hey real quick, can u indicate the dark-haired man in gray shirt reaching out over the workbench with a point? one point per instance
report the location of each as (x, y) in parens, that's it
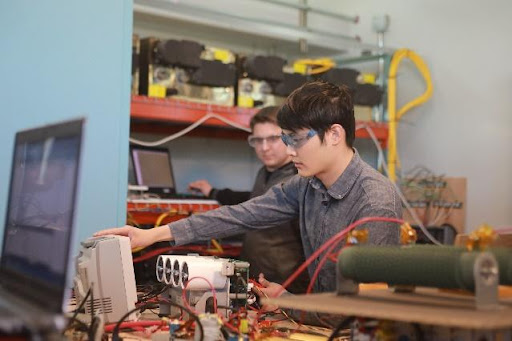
(334, 186)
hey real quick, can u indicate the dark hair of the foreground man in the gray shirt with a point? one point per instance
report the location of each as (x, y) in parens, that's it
(318, 105)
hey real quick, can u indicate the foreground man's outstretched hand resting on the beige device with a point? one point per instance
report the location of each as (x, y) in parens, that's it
(139, 238)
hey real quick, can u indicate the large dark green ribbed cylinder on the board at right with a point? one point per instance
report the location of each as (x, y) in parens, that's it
(432, 266)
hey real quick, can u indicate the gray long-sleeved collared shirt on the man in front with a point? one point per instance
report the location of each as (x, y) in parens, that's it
(359, 192)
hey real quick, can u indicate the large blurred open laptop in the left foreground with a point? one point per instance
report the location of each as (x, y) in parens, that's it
(39, 229)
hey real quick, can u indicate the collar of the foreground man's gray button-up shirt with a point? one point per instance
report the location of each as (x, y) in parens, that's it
(345, 182)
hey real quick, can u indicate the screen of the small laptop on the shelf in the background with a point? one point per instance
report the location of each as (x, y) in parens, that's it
(152, 167)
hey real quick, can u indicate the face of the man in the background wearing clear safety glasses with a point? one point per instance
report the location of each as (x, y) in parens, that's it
(268, 145)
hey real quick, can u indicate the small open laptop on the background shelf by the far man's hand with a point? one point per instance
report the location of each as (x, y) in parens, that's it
(153, 169)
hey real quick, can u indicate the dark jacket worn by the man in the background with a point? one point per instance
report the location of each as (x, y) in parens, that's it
(277, 251)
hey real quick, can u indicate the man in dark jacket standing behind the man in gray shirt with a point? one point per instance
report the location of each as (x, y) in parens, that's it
(275, 252)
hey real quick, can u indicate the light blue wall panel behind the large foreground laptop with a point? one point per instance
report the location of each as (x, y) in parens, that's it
(64, 59)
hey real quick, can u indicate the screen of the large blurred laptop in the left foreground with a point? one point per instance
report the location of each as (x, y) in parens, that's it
(41, 207)
